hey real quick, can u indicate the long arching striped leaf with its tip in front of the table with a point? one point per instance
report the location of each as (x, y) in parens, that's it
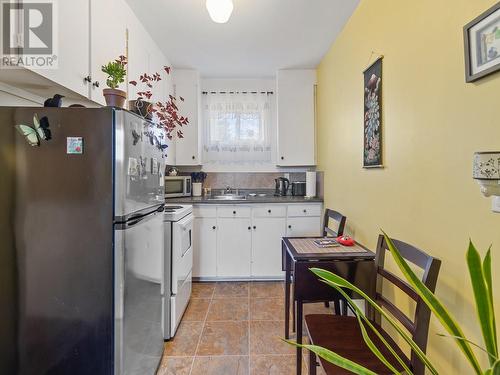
(335, 280)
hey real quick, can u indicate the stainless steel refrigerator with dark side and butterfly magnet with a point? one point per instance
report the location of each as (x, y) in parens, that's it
(81, 234)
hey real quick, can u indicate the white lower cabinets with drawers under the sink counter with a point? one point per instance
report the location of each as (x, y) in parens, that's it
(244, 241)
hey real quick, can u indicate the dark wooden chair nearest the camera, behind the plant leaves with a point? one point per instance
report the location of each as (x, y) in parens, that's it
(342, 335)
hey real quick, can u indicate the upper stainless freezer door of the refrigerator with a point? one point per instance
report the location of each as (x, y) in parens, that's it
(139, 164)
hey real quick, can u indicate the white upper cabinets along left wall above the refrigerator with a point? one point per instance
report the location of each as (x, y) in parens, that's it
(91, 33)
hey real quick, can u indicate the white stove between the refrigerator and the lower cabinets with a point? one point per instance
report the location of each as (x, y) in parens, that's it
(178, 223)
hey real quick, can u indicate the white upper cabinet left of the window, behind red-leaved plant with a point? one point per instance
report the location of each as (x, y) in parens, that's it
(187, 86)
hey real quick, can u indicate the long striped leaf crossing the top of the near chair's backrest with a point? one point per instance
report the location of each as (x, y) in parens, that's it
(443, 315)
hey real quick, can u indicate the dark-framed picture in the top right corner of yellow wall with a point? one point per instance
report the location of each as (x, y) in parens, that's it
(482, 44)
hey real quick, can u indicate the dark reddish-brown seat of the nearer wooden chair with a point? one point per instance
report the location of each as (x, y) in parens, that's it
(342, 335)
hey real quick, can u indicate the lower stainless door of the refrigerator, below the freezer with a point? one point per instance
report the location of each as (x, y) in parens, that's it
(138, 295)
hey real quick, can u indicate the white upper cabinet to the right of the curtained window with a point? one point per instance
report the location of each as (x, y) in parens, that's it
(296, 117)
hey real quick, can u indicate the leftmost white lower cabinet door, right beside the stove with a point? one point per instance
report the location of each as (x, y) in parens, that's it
(205, 247)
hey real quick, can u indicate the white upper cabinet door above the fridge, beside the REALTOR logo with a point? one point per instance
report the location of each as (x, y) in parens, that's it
(73, 47)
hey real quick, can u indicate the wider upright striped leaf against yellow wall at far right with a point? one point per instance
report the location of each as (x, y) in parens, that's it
(484, 303)
